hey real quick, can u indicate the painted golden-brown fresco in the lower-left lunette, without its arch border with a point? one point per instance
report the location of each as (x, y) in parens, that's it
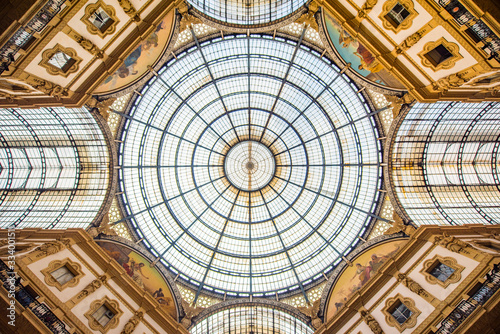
(149, 279)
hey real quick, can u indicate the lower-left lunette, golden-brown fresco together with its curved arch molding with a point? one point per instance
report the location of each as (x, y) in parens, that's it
(159, 284)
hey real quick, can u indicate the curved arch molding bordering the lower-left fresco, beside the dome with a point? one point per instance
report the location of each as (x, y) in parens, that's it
(157, 265)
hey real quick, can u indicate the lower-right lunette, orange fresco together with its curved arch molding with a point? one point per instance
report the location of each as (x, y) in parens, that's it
(365, 264)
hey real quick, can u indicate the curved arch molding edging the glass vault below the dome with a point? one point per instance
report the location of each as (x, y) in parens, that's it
(247, 302)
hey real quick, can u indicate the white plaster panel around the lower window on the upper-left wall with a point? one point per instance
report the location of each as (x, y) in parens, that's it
(65, 41)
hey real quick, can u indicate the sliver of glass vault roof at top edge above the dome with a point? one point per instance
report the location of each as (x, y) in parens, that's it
(247, 12)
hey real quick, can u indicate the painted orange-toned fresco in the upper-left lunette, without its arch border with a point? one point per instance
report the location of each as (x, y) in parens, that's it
(147, 53)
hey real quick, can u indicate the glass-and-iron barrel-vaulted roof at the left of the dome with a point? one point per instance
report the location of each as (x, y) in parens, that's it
(54, 168)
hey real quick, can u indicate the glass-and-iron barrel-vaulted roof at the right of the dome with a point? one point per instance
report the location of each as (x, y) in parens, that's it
(444, 163)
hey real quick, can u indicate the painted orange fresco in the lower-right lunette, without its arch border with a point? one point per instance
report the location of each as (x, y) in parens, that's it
(354, 278)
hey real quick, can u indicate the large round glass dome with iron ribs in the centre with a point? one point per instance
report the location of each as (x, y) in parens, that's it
(250, 165)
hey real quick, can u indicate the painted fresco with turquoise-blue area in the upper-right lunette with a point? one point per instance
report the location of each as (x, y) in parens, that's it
(362, 61)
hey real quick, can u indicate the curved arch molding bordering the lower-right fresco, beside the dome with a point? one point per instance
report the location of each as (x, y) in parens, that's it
(344, 264)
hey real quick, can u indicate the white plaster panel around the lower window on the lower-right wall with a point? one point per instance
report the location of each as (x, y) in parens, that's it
(420, 303)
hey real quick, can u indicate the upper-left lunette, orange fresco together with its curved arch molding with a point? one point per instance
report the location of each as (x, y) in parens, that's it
(150, 53)
